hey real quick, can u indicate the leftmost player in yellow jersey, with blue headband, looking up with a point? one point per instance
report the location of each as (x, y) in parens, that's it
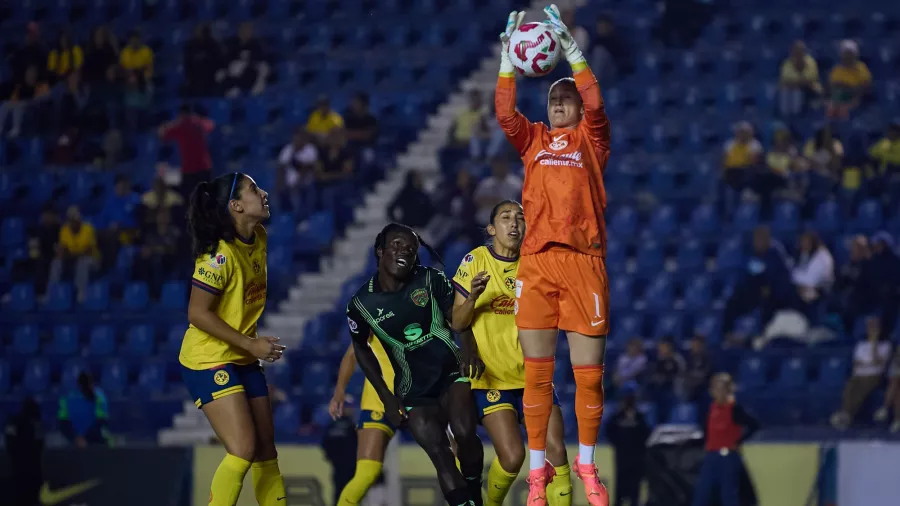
(221, 350)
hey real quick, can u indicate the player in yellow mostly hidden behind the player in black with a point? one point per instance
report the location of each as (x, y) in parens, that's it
(374, 429)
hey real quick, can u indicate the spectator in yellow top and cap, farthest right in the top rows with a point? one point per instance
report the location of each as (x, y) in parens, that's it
(849, 81)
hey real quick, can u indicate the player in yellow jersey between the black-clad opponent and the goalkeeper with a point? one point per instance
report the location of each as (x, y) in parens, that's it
(484, 310)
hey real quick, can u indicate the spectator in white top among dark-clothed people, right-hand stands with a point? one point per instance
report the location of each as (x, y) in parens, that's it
(813, 274)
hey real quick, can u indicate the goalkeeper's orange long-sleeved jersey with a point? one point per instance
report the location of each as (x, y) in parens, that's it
(563, 196)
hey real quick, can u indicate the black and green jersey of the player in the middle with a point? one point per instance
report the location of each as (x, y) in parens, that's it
(412, 325)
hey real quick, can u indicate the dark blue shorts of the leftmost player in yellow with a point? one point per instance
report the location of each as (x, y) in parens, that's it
(208, 385)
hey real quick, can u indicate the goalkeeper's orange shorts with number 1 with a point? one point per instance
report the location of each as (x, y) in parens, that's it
(559, 288)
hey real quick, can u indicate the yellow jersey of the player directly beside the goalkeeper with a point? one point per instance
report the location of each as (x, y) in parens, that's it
(494, 321)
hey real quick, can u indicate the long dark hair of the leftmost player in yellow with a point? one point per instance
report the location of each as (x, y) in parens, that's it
(208, 218)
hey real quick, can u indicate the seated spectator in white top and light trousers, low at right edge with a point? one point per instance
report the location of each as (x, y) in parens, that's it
(870, 357)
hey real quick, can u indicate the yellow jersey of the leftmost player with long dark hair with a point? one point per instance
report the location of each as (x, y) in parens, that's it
(236, 272)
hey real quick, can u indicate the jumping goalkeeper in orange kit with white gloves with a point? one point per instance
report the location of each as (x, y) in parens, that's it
(561, 282)
